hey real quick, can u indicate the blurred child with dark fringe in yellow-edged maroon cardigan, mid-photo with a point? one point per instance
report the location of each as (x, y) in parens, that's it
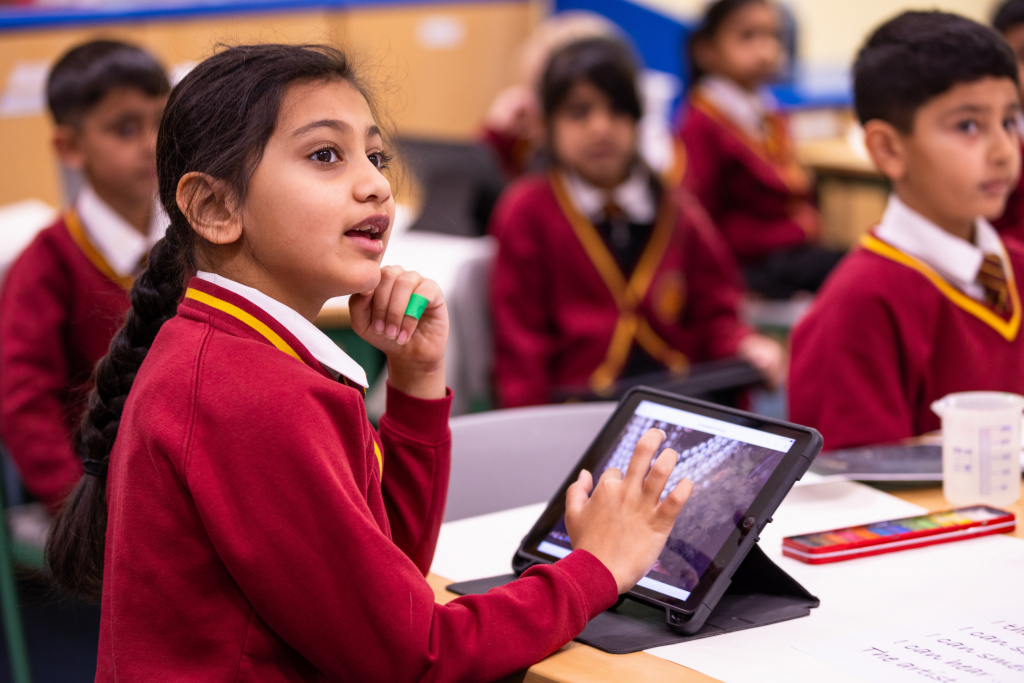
(602, 273)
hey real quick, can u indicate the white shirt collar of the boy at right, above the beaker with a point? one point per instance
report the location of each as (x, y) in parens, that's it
(957, 261)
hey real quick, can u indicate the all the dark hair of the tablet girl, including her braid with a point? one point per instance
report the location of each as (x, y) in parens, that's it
(218, 122)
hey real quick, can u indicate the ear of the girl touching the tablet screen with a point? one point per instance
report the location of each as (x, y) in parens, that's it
(211, 208)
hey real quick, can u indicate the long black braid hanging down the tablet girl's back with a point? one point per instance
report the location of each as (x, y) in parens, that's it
(75, 548)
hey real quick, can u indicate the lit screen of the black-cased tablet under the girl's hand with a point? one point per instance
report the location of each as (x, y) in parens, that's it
(729, 465)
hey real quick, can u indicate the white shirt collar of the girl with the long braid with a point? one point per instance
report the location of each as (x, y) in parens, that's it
(318, 344)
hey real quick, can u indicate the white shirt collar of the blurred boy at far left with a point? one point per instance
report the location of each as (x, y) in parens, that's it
(120, 244)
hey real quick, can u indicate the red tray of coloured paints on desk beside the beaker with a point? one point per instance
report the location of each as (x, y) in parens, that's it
(888, 537)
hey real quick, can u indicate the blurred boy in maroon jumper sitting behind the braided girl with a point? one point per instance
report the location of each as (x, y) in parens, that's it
(67, 294)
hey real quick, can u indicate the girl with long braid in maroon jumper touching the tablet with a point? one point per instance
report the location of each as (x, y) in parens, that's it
(257, 526)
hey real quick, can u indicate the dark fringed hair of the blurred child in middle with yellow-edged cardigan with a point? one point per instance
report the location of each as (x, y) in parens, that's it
(605, 63)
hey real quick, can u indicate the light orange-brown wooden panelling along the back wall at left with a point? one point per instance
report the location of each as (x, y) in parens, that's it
(435, 66)
